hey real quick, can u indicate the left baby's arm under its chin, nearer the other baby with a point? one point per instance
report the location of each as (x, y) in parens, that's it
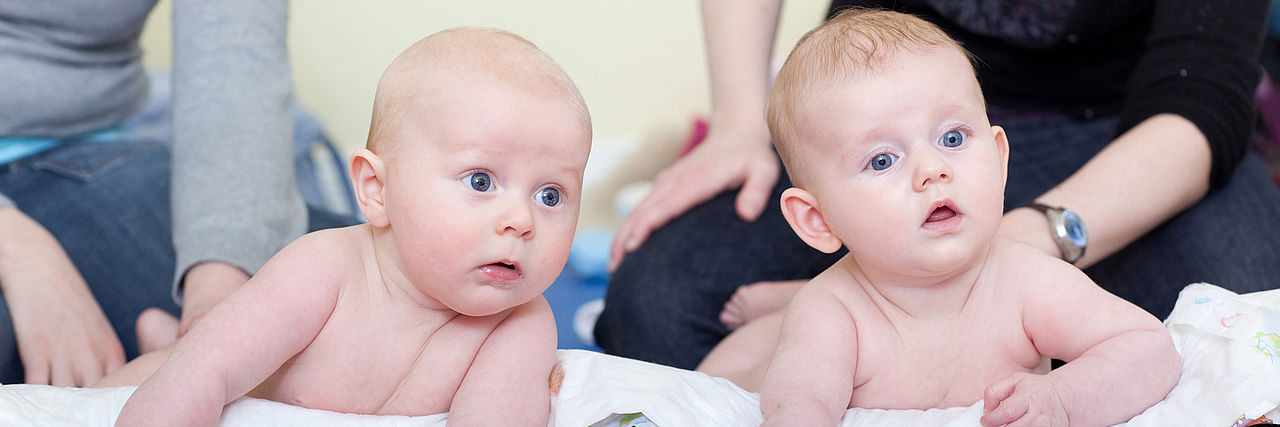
(509, 379)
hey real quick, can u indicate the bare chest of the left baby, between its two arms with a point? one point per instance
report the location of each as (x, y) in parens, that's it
(378, 370)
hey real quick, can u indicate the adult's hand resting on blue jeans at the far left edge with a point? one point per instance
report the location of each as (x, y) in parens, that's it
(63, 337)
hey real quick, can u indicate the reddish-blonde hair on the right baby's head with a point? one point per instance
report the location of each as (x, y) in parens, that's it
(853, 43)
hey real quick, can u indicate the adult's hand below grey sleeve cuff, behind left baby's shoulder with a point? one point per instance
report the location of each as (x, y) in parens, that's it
(204, 287)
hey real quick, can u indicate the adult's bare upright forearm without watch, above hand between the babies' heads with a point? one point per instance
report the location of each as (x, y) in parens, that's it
(739, 38)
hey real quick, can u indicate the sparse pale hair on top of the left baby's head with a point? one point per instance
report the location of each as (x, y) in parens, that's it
(496, 53)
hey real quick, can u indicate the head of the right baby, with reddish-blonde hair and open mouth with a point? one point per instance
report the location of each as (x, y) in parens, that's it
(883, 127)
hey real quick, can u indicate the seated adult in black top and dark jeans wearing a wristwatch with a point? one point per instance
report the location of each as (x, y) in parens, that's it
(1131, 121)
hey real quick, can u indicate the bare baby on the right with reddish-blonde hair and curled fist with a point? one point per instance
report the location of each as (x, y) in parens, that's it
(883, 127)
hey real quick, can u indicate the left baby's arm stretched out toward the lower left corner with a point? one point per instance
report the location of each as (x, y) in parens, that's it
(241, 342)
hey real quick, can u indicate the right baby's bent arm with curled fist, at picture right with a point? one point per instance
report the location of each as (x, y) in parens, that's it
(1121, 359)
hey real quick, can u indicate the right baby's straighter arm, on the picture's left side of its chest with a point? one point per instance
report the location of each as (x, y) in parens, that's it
(811, 379)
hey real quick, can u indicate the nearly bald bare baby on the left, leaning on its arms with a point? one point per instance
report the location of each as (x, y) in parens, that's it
(472, 183)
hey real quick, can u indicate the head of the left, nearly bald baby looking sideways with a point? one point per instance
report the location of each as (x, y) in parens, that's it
(473, 173)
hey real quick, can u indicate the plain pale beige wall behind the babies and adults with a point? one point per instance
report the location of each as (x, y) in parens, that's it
(641, 66)
